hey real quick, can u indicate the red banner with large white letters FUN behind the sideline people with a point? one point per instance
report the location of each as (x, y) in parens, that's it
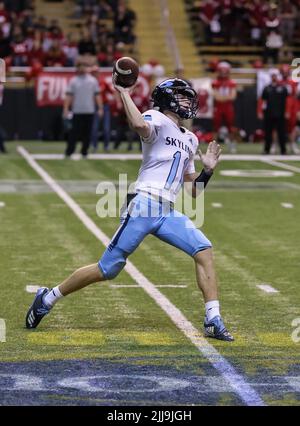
(50, 87)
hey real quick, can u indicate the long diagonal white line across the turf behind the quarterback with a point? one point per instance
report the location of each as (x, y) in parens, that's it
(235, 380)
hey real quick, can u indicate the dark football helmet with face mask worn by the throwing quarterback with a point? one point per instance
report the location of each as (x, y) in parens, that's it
(176, 95)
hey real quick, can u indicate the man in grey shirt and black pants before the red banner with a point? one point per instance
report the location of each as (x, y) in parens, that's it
(82, 96)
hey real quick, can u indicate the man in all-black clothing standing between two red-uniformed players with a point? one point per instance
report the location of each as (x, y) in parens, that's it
(274, 97)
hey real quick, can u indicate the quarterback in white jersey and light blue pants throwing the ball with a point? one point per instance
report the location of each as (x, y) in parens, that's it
(168, 161)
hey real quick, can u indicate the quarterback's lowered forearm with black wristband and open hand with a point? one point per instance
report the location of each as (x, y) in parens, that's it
(209, 161)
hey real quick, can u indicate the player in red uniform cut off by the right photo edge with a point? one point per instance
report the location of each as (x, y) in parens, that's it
(291, 106)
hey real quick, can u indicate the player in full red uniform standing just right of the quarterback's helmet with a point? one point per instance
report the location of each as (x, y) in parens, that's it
(224, 93)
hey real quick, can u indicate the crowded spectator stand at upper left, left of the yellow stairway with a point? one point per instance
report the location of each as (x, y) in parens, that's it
(102, 30)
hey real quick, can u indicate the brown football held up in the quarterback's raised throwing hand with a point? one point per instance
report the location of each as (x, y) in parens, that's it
(125, 71)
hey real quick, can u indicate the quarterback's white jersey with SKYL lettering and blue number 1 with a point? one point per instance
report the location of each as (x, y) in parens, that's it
(168, 154)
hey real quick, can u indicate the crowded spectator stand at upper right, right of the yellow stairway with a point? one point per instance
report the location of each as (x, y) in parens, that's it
(244, 33)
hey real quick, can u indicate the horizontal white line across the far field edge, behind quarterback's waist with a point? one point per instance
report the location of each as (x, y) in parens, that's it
(225, 157)
